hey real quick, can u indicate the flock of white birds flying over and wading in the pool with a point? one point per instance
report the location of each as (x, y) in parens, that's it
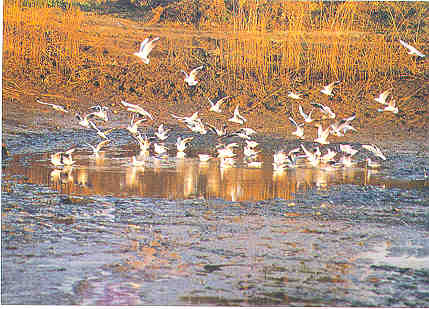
(316, 157)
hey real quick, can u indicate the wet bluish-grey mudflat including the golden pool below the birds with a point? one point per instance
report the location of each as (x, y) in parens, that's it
(177, 232)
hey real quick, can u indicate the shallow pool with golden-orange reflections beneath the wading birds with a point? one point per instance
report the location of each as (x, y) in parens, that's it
(111, 174)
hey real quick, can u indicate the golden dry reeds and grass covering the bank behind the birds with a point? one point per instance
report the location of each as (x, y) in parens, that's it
(264, 51)
